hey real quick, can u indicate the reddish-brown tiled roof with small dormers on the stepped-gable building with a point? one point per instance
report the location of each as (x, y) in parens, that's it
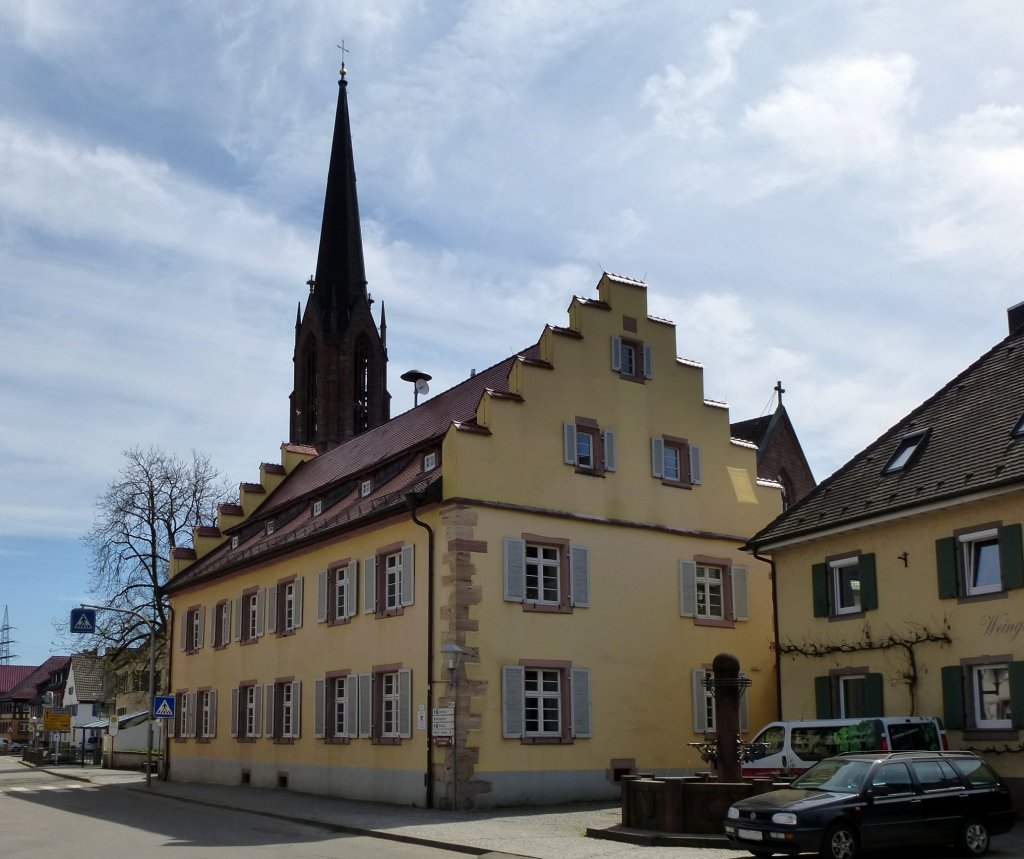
(388, 456)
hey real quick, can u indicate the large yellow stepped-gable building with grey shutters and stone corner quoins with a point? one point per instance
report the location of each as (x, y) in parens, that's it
(570, 519)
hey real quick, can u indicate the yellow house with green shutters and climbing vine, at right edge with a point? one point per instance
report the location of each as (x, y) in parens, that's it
(900, 579)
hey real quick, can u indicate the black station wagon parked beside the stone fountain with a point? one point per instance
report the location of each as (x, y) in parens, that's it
(875, 801)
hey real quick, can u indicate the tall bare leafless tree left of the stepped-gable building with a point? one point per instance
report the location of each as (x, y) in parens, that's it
(149, 510)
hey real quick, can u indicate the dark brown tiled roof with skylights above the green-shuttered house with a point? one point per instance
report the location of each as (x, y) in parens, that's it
(970, 449)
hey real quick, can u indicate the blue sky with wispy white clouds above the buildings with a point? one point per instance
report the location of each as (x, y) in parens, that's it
(829, 193)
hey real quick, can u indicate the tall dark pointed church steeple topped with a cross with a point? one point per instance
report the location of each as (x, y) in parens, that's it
(340, 359)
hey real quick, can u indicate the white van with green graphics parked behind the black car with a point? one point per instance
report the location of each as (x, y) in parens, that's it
(788, 749)
